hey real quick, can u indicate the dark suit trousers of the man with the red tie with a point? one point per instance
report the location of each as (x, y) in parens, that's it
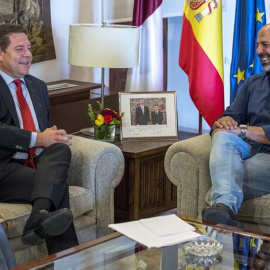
(21, 184)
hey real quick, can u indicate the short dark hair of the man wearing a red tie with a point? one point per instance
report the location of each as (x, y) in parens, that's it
(6, 30)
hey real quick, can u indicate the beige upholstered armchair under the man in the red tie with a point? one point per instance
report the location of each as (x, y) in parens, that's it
(96, 169)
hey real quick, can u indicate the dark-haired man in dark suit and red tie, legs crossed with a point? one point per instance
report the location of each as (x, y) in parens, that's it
(34, 156)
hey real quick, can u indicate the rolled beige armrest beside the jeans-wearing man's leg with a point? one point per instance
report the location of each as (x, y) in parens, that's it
(187, 166)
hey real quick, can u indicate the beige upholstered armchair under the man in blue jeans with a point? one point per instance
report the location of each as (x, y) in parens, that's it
(187, 167)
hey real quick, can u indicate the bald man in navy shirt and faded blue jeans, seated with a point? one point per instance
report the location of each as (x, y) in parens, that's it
(240, 150)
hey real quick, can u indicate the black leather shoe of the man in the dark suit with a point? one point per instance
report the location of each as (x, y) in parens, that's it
(46, 224)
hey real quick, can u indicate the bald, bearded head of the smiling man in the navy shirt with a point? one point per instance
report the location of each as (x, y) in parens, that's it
(263, 46)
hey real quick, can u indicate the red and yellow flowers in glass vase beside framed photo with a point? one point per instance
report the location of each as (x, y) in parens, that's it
(104, 121)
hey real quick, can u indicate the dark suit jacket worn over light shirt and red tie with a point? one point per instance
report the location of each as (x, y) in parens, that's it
(12, 138)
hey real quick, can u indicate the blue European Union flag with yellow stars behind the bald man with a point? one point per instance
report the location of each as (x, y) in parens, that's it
(250, 17)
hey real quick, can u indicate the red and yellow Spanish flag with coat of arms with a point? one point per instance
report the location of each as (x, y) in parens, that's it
(201, 56)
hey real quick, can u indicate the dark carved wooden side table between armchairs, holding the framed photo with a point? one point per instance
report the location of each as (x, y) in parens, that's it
(145, 190)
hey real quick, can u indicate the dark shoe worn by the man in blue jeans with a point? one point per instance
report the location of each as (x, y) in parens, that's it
(220, 214)
